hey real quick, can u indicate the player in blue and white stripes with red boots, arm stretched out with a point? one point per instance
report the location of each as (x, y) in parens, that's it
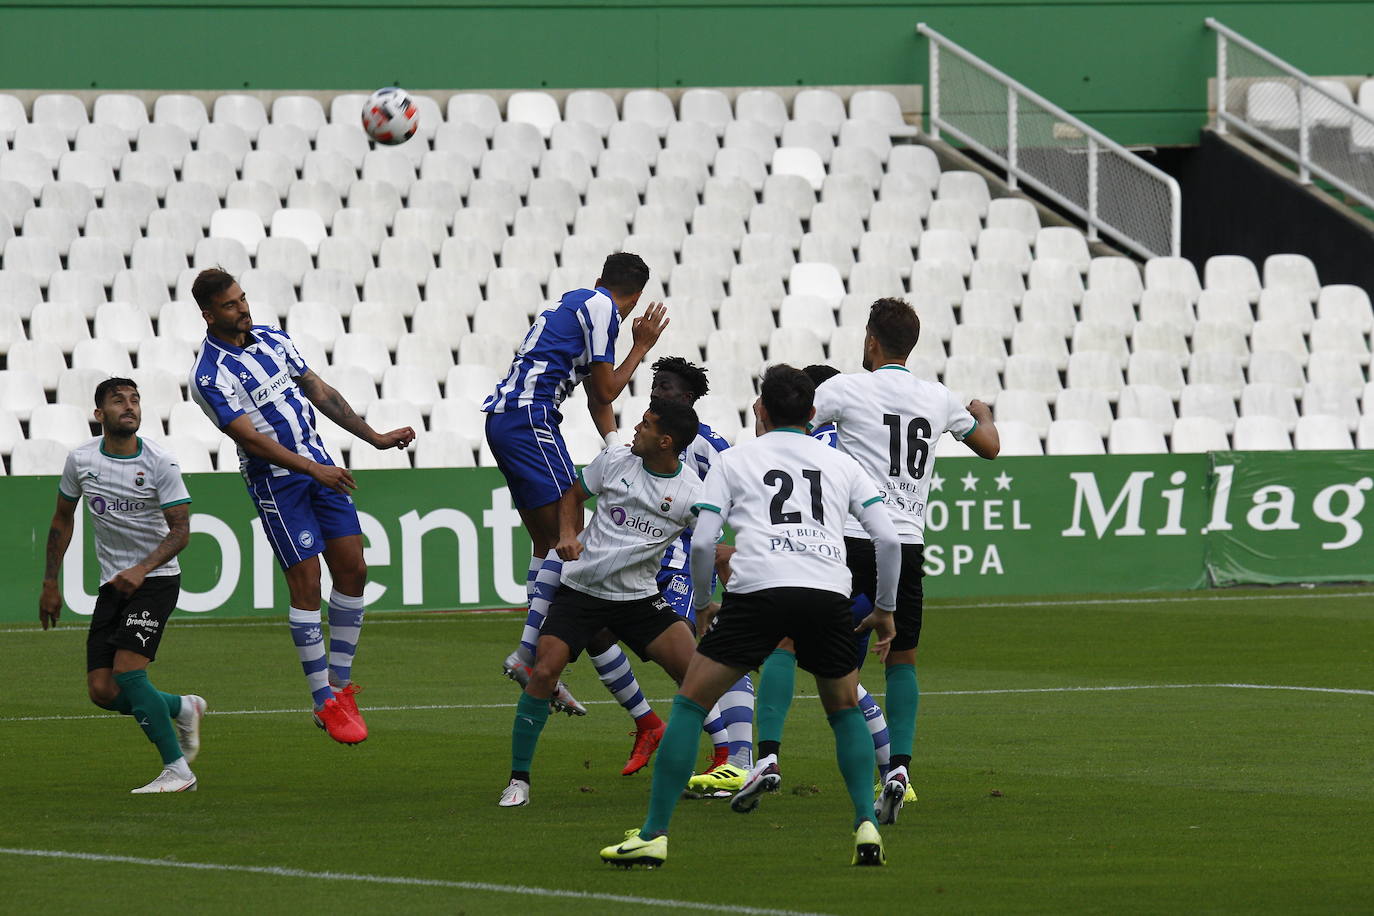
(252, 382)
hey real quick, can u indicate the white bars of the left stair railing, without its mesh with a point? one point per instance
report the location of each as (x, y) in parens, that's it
(1097, 144)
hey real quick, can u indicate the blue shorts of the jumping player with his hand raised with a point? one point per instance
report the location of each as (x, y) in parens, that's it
(531, 453)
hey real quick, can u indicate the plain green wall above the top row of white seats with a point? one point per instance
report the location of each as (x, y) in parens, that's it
(1136, 71)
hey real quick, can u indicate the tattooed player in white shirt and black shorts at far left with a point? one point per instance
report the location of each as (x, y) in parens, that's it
(138, 505)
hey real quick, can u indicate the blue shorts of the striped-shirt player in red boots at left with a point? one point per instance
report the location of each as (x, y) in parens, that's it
(300, 516)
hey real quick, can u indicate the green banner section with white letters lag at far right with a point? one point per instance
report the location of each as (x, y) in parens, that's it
(1289, 517)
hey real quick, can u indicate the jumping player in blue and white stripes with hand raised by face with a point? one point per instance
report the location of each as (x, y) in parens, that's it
(570, 344)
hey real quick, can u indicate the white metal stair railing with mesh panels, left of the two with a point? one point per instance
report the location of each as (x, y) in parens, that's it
(1114, 192)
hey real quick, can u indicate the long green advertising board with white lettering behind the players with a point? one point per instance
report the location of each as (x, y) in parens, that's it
(450, 539)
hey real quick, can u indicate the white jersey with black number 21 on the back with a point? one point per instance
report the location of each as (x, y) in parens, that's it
(788, 498)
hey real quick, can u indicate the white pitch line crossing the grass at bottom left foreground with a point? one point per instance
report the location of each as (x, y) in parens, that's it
(409, 882)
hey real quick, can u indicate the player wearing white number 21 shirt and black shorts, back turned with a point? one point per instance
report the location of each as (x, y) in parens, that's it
(788, 498)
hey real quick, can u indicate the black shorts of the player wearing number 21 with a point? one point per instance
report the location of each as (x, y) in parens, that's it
(750, 627)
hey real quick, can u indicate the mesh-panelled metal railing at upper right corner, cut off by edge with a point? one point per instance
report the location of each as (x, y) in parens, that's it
(1314, 123)
